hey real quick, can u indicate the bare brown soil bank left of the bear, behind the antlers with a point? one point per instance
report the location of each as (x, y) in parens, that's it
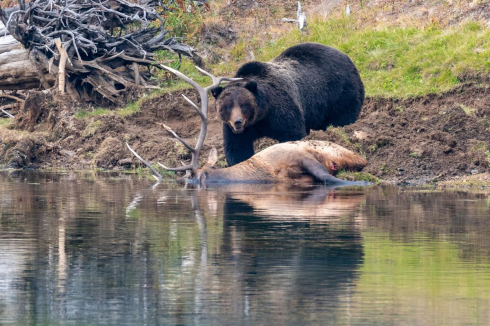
(99, 141)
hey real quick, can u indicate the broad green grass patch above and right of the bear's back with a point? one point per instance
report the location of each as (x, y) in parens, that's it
(400, 62)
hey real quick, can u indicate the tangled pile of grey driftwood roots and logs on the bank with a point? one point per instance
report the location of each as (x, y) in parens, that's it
(93, 49)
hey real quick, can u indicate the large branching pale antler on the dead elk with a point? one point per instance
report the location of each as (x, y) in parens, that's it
(202, 112)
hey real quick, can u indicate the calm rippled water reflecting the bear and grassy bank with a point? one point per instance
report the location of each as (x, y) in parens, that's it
(88, 249)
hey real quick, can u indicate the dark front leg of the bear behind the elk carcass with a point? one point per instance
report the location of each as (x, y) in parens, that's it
(238, 147)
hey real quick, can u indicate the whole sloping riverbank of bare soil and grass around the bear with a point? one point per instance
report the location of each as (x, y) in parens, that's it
(426, 118)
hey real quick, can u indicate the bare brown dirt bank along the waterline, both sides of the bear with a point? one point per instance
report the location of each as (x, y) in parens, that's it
(419, 140)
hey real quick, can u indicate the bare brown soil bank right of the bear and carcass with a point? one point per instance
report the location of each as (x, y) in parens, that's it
(426, 139)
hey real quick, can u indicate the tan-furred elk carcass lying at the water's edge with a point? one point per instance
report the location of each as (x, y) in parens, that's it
(285, 162)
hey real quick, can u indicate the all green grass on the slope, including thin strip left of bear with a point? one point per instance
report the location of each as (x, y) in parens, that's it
(393, 61)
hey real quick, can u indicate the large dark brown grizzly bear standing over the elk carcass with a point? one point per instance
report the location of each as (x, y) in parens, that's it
(308, 86)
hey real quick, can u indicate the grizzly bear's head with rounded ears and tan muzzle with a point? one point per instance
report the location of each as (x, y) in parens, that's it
(237, 104)
